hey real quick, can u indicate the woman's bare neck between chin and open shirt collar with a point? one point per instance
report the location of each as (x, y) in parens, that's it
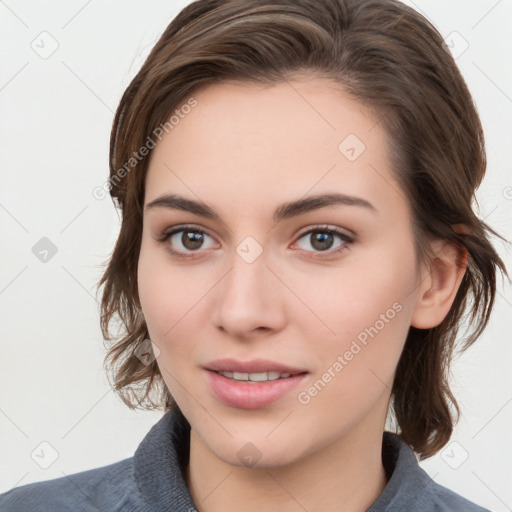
(347, 475)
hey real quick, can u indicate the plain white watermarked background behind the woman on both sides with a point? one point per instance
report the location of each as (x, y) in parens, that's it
(55, 120)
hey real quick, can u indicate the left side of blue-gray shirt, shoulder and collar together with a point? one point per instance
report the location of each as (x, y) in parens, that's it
(151, 480)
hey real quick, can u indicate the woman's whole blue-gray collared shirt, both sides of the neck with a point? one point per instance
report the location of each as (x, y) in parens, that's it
(152, 481)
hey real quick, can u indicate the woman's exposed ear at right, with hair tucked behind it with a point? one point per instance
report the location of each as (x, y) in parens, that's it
(440, 280)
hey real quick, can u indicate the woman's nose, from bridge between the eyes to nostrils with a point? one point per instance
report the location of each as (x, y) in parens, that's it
(249, 298)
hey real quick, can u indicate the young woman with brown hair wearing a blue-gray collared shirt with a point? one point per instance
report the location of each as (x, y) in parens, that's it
(297, 251)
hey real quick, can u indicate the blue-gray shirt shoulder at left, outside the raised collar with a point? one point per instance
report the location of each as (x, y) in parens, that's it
(105, 488)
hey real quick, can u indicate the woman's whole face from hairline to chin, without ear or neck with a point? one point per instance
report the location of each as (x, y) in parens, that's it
(323, 291)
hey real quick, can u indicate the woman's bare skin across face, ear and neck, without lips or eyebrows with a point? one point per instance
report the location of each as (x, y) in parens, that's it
(244, 150)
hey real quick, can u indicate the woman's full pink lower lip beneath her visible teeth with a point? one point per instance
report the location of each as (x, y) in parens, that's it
(246, 395)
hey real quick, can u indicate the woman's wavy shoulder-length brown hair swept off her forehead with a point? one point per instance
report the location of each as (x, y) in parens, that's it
(391, 59)
